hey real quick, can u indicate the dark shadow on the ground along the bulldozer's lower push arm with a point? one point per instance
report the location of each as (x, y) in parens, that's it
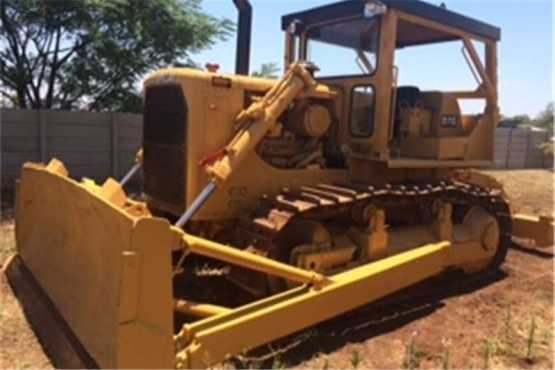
(370, 321)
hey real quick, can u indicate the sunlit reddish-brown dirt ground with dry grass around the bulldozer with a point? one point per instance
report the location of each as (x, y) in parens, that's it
(503, 320)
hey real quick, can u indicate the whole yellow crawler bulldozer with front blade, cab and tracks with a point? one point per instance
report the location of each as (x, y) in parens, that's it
(271, 205)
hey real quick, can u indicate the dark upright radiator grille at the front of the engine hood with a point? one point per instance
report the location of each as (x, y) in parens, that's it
(164, 135)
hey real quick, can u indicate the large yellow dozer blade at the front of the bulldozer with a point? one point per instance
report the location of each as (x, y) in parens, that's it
(90, 267)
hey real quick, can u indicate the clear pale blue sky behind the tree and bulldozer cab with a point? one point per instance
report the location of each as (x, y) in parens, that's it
(525, 51)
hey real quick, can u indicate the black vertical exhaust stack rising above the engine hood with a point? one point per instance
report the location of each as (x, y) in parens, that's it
(244, 21)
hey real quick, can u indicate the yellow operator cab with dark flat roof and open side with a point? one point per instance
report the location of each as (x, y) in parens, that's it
(354, 45)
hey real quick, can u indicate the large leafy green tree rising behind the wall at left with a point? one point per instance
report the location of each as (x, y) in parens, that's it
(91, 54)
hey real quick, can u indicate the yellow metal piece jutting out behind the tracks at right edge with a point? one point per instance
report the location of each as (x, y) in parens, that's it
(539, 229)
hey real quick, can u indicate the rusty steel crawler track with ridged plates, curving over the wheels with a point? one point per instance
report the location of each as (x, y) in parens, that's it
(324, 201)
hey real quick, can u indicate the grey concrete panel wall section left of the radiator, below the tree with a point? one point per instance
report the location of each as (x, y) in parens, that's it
(94, 145)
